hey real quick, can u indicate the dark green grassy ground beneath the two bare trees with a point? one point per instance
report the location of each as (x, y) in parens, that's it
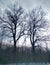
(20, 56)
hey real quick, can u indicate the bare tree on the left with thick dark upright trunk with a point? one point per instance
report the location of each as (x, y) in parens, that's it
(12, 22)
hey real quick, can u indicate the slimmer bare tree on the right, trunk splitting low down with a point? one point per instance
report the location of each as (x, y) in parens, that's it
(36, 23)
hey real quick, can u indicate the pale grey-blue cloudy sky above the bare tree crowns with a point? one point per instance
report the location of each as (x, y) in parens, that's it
(29, 4)
